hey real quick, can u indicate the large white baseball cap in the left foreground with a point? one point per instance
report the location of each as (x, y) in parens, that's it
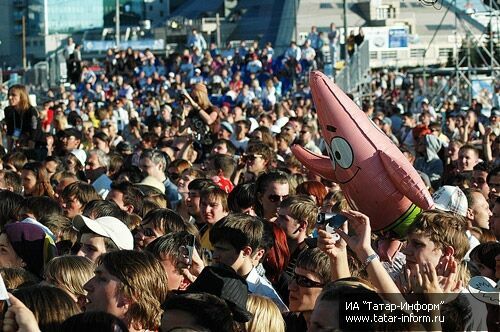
(109, 227)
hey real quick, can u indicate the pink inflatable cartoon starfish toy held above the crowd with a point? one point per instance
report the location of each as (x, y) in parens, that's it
(374, 175)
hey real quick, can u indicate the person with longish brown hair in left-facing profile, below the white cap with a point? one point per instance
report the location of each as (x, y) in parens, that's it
(130, 285)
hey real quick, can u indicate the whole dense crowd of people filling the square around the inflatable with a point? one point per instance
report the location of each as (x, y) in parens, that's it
(162, 195)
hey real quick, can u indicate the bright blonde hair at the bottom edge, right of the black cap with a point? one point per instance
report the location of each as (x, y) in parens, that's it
(266, 315)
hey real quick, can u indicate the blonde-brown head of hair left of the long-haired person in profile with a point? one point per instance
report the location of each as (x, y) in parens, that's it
(70, 273)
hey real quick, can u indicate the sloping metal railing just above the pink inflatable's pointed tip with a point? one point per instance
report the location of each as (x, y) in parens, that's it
(354, 72)
